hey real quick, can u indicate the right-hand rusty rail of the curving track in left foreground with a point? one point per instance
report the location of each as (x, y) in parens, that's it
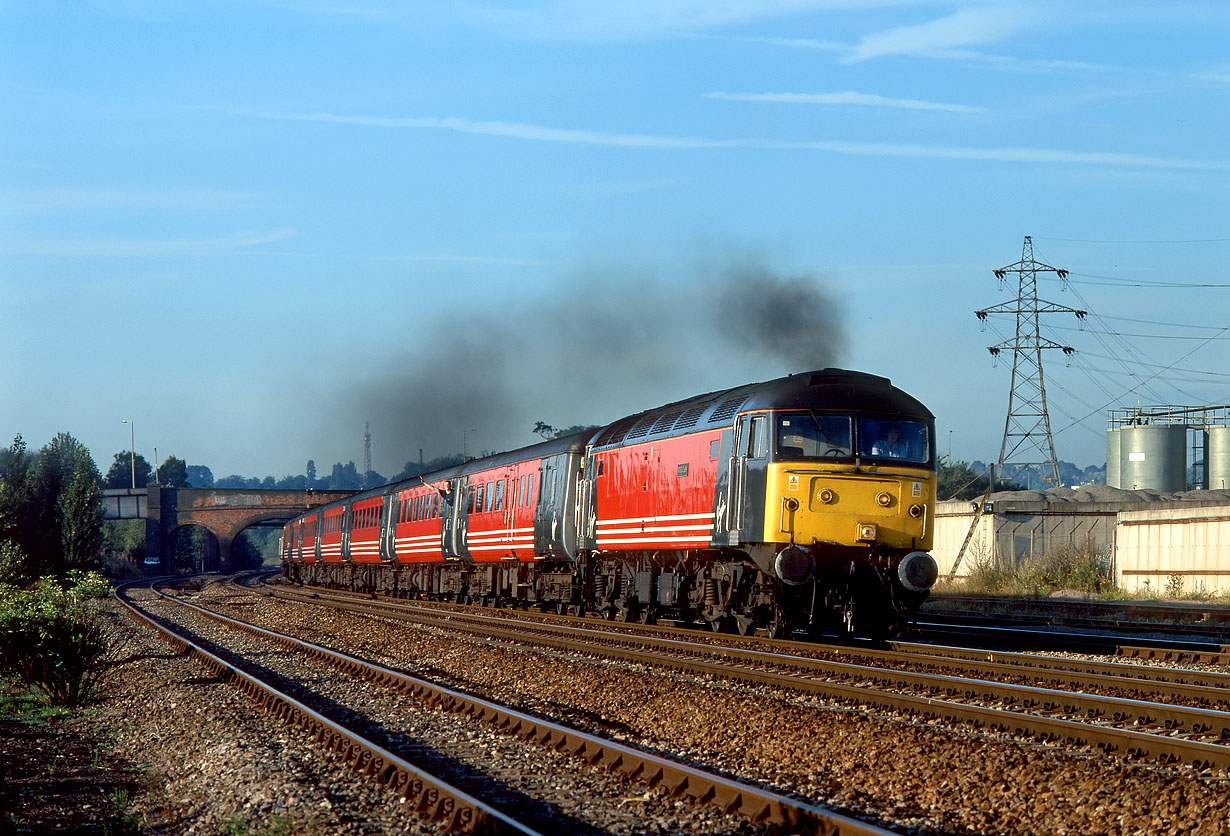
(729, 796)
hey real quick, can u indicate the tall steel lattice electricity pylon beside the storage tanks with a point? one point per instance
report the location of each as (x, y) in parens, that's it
(1028, 443)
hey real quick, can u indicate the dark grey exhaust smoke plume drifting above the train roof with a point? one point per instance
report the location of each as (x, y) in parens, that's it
(598, 350)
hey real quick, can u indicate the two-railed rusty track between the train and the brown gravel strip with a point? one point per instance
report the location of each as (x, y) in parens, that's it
(1111, 739)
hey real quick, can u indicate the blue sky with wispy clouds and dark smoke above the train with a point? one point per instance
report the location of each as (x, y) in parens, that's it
(253, 227)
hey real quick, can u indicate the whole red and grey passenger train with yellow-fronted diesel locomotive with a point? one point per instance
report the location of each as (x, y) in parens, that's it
(799, 503)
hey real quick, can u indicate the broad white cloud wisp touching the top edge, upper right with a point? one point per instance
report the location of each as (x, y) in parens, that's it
(964, 29)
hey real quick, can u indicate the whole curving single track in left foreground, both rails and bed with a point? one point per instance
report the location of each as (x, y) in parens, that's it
(313, 688)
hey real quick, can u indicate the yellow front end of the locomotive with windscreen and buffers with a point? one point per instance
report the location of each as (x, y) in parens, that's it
(849, 502)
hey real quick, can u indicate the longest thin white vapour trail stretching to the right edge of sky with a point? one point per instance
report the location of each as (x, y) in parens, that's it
(537, 133)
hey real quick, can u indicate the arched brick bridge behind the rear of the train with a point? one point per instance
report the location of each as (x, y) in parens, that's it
(223, 512)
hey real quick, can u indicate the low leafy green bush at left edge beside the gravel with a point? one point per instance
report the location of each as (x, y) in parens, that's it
(54, 639)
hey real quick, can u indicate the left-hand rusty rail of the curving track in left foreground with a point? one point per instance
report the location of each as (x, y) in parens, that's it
(431, 797)
